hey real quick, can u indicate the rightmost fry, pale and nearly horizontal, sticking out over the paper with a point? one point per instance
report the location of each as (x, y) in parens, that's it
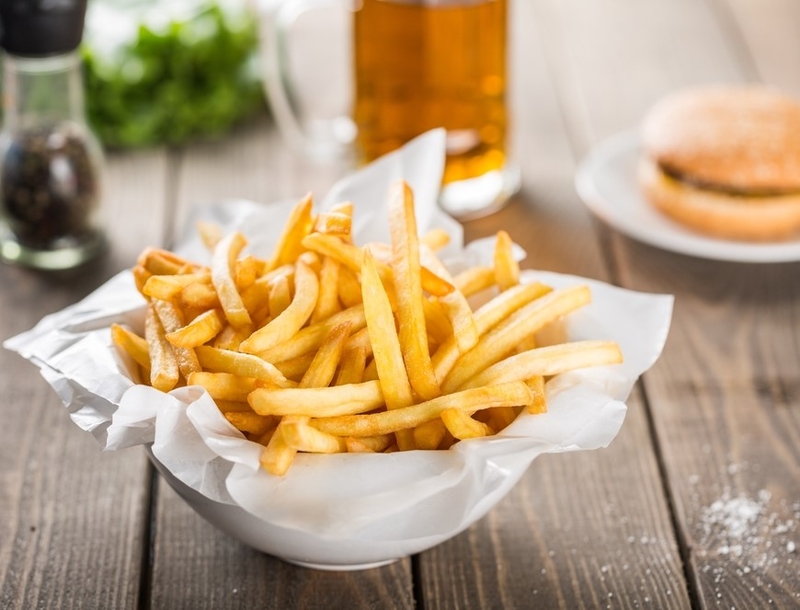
(547, 361)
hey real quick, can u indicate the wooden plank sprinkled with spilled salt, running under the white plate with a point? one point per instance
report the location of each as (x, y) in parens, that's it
(723, 395)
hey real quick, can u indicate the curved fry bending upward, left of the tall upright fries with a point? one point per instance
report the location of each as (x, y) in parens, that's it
(290, 320)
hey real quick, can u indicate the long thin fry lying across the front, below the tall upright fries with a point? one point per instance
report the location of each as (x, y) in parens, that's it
(405, 418)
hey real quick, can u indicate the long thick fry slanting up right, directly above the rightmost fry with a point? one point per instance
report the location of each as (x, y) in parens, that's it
(500, 341)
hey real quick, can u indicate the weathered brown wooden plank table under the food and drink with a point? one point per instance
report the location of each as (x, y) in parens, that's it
(695, 504)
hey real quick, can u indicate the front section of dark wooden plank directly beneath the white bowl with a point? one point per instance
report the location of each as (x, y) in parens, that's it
(196, 565)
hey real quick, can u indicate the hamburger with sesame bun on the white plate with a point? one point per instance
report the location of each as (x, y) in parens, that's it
(725, 161)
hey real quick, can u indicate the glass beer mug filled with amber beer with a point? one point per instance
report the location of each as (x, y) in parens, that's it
(416, 65)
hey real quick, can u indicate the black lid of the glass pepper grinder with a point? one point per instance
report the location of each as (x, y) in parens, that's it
(36, 28)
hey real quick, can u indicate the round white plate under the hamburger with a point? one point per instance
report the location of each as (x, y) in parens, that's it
(606, 181)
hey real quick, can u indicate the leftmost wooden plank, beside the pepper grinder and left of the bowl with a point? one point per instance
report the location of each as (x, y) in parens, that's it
(71, 533)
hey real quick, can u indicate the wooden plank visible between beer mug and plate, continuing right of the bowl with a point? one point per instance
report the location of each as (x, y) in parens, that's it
(584, 530)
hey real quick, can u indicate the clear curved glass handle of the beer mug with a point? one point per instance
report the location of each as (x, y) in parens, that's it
(326, 139)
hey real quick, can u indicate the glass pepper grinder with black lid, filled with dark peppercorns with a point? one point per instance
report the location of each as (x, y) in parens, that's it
(51, 163)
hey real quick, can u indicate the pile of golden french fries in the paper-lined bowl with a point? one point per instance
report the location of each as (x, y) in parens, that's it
(330, 347)
